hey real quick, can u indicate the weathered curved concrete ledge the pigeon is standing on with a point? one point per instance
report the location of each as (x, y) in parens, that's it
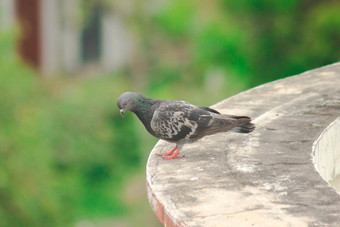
(267, 177)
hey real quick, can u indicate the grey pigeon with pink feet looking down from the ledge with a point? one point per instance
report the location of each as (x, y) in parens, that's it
(180, 122)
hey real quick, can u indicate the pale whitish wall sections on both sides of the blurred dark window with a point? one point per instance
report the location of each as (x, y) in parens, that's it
(61, 38)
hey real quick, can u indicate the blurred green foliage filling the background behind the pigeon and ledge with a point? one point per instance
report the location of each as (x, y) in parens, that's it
(65, 152)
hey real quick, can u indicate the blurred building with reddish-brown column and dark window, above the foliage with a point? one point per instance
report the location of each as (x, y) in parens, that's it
(52, 38)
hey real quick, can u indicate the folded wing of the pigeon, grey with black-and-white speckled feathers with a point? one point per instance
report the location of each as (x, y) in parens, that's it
(176, 121)
